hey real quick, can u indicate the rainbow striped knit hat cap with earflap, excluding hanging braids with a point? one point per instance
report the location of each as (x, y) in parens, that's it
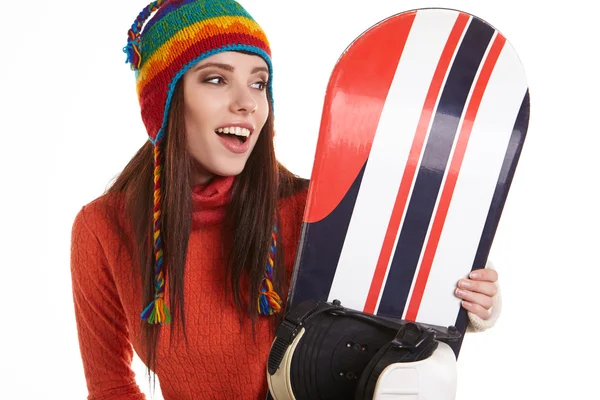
(181, 34)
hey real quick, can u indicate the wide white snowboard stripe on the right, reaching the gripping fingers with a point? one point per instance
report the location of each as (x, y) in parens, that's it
(474, 189)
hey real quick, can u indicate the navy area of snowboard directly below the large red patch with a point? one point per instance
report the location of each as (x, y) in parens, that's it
(319, 259)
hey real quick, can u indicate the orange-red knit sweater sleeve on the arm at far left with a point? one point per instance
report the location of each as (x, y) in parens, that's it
(101, 324)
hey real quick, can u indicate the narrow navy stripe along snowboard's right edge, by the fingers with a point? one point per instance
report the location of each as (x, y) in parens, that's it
(507, 172)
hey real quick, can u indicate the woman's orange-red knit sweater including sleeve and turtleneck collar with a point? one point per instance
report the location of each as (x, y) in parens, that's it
(222, 360)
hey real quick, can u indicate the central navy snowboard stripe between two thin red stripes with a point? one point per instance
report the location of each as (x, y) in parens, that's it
(431, 172)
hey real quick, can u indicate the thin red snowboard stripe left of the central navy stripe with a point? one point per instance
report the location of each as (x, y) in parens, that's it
(413, 161)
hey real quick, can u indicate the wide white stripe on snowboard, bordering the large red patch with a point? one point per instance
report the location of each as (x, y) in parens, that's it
(388, 157)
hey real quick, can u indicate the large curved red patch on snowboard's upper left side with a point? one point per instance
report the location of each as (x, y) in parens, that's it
(365, 72)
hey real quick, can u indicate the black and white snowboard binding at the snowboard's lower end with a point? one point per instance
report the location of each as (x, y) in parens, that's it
(325, 351)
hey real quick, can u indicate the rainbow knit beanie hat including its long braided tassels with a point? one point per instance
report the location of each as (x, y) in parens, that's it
(179, 35)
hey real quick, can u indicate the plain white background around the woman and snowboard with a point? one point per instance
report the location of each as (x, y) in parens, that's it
(69, 122)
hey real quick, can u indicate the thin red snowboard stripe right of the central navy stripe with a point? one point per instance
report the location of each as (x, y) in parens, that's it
(454, 170)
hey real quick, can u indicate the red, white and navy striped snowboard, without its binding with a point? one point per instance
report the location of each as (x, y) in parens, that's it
(423, 123)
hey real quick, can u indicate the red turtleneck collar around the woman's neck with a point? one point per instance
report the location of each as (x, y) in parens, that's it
(210, 200)
